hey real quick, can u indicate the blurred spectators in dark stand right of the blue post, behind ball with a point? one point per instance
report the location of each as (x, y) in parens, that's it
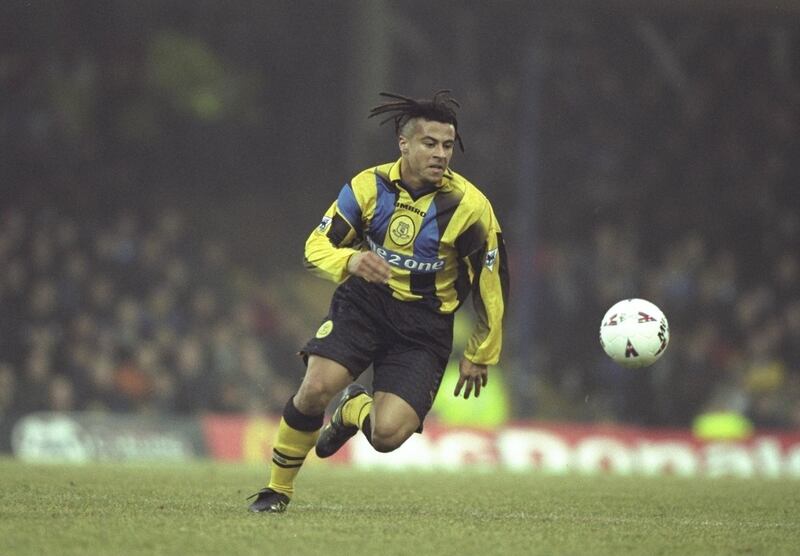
(678, 144)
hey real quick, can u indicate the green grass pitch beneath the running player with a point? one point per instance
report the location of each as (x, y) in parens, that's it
(200, 509)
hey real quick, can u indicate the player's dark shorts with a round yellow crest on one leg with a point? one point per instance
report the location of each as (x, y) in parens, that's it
(407, 343)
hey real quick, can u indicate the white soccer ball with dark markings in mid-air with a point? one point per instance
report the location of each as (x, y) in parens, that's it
(634, 333)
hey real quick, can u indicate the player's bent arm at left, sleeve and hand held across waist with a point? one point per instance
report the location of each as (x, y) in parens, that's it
(332, 250)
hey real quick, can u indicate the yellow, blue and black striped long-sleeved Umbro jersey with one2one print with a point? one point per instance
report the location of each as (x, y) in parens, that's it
(442, 243)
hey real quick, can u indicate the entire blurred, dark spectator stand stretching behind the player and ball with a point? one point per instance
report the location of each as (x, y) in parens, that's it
(666, 158)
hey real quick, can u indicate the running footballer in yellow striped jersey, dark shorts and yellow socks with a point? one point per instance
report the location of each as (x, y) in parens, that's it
(407, 242)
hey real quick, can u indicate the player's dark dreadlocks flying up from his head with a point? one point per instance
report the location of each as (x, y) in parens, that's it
(401, 109)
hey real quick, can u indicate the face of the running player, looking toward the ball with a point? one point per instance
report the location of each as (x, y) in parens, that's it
(426, 152)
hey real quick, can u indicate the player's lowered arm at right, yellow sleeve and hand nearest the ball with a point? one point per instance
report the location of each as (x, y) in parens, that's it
(490, 287)
